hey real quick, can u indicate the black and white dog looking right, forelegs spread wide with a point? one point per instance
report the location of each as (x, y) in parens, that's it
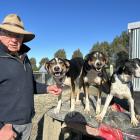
(122, 88)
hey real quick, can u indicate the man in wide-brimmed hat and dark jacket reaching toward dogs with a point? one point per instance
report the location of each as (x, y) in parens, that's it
(17, 84)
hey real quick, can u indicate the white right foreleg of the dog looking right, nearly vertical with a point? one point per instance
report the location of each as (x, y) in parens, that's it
(134, 121)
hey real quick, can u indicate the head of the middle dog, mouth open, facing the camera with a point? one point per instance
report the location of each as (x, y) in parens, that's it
(97, 60)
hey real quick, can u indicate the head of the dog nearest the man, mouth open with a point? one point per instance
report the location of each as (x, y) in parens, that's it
(57, 67)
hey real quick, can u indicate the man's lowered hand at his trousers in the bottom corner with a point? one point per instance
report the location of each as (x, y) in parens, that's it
(7, 133)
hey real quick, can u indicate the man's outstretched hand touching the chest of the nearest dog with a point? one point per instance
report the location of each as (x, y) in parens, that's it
(54, 89)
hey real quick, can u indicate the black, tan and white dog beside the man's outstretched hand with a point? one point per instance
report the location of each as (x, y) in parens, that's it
(65, 73)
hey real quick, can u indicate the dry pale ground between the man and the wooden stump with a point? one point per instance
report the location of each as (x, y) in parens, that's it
(42, 104)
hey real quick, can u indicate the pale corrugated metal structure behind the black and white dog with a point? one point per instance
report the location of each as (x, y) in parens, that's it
(134, 47)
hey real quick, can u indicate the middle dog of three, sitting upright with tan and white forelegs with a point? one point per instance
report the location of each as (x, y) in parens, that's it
(94, 74)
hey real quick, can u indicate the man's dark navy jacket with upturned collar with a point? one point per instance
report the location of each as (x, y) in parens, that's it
(17, 86)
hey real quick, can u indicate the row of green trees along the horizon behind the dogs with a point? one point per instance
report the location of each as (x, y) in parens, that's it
(116, 52)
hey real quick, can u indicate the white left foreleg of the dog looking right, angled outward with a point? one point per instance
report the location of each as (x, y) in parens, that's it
(100, 116)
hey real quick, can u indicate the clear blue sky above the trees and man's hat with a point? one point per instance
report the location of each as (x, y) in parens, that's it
(71, 24)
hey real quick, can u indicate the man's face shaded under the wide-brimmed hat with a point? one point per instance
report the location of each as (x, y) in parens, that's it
(11, 40)
